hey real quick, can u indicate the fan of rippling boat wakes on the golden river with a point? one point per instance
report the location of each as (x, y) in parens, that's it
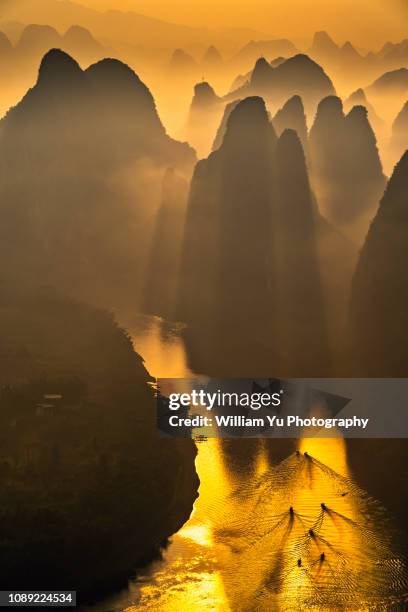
(309, 538)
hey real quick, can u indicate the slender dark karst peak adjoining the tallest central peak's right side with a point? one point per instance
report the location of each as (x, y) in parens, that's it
(301, 311)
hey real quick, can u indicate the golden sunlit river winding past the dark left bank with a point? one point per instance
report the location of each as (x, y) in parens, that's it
(259, 537)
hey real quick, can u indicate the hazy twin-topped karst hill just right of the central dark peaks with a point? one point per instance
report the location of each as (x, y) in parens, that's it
(346, 169)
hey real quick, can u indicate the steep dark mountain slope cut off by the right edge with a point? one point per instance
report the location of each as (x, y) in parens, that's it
(379, 346)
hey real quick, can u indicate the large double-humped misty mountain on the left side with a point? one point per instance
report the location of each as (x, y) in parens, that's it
(90, 152)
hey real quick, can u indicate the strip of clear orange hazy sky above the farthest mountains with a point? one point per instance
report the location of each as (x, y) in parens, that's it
(365, 21)
